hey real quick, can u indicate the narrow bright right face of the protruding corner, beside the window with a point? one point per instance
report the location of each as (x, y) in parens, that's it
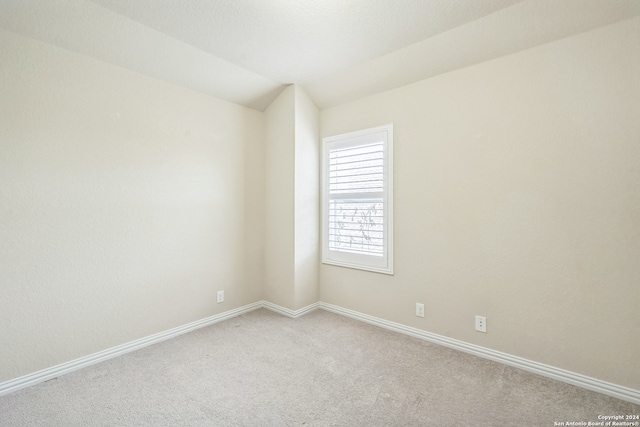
(307, 196)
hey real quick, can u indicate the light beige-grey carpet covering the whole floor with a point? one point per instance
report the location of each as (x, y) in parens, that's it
(322, 369)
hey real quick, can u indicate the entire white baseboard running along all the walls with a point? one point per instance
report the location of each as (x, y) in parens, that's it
(609, 389)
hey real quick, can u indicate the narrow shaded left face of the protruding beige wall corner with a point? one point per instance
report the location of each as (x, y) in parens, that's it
(279, 201)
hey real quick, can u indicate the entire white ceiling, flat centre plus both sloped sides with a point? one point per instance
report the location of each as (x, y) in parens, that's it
(245, 51)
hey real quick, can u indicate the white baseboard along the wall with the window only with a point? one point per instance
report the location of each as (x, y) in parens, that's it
(579, 380)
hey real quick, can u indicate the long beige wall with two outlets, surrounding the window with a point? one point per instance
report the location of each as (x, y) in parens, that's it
(517, 197)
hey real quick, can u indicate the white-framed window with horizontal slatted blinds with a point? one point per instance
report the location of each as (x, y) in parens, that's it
(357, 202)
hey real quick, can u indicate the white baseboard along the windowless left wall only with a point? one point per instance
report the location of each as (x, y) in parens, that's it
(64, 368)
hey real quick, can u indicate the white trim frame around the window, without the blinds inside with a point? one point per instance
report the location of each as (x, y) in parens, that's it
(377, 264)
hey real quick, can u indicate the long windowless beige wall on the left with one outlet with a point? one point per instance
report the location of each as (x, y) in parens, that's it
(122, 205)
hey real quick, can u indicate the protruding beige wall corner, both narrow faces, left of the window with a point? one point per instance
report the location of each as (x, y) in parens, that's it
(291, 200)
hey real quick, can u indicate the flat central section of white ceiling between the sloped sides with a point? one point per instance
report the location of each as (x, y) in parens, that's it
(302, 41)
